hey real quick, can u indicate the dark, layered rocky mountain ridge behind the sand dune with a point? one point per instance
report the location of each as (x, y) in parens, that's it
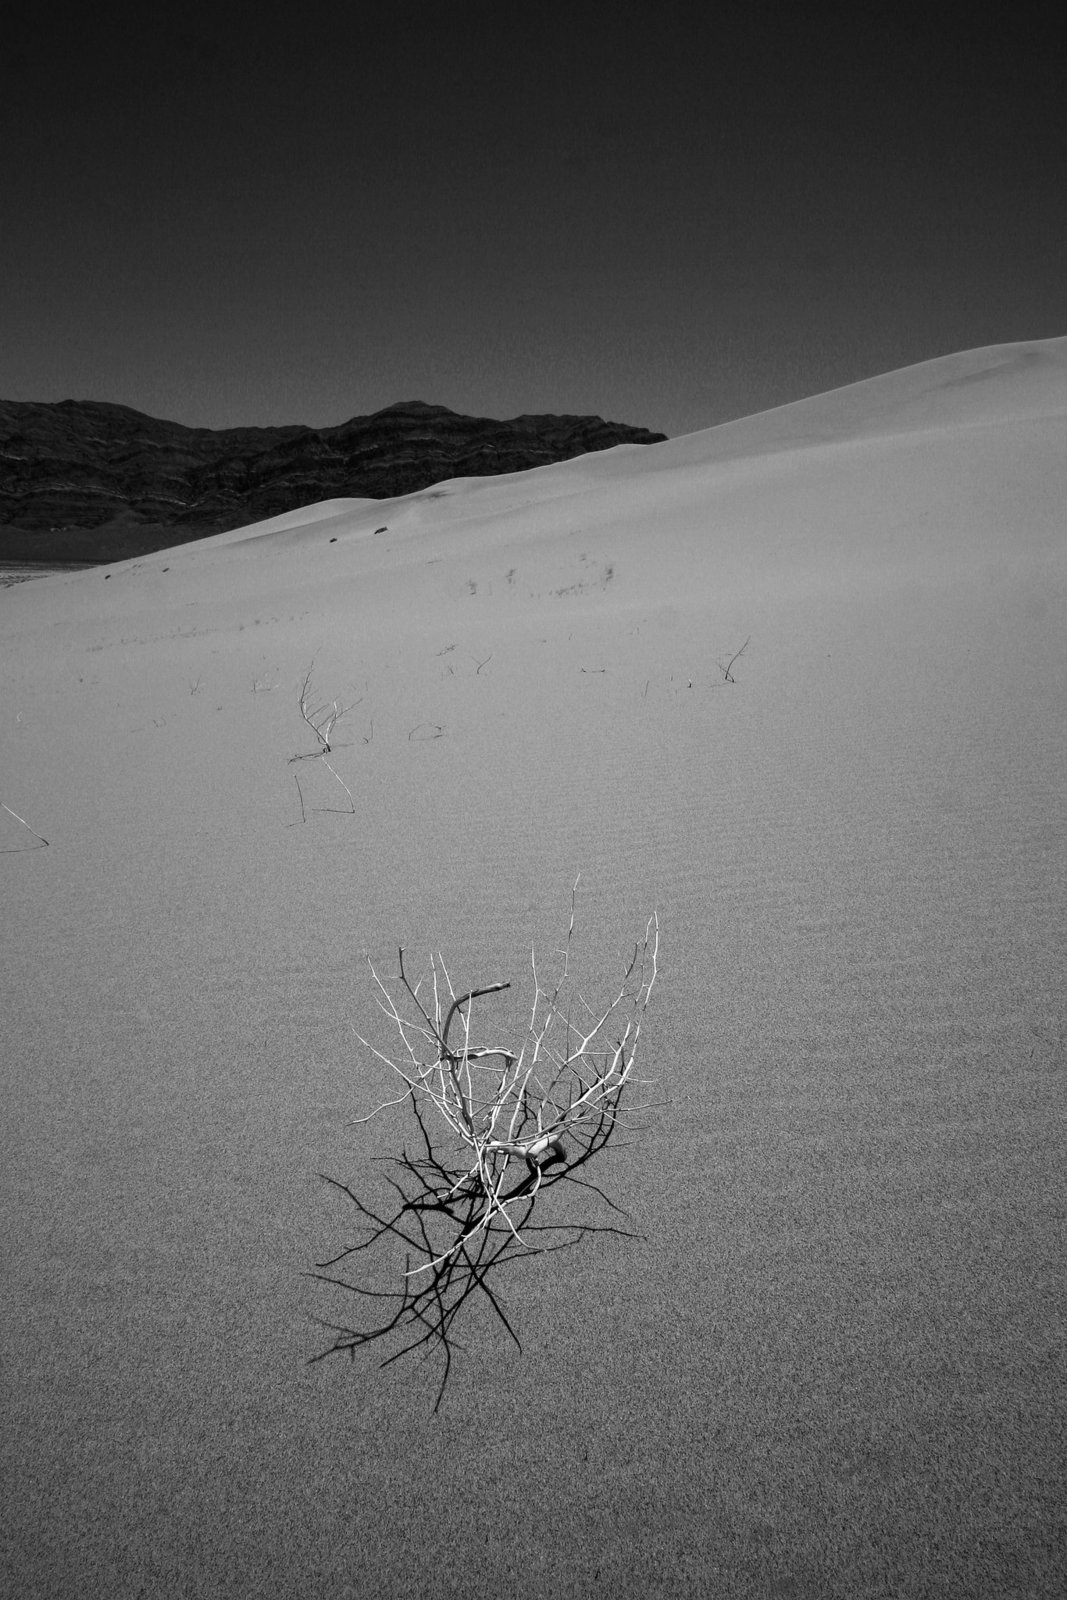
(94, 482)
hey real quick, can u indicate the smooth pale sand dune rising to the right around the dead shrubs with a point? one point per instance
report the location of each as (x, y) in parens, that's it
(833, 1364)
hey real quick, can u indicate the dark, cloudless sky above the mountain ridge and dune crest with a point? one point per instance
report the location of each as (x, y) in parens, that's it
(666, 215)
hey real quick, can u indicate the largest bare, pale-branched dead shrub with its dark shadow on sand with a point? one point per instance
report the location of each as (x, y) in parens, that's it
(498, 1130)
